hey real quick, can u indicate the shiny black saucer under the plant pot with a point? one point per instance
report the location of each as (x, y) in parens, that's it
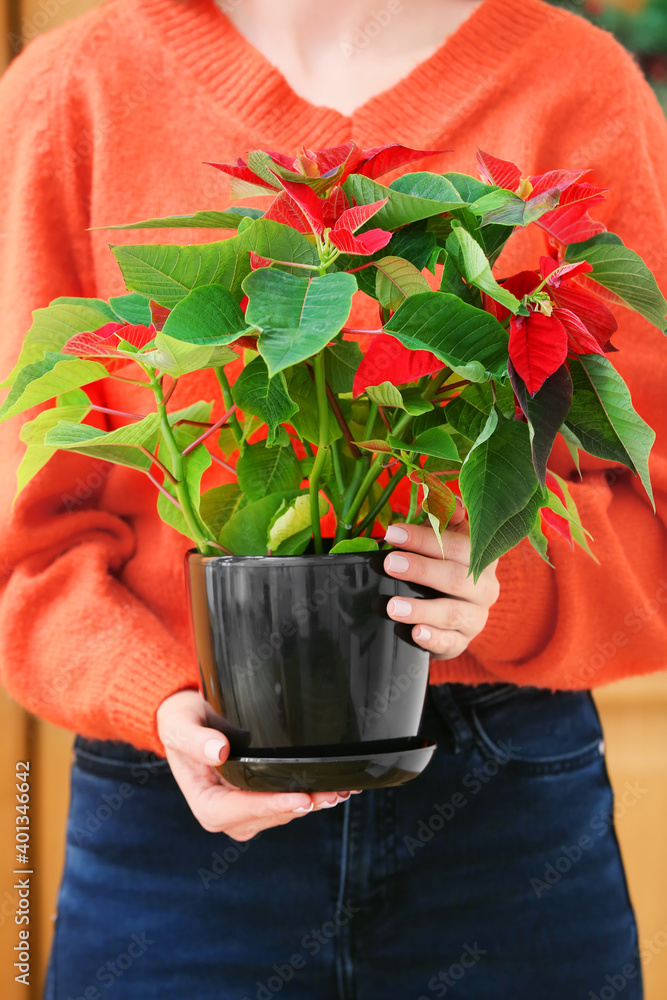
(372, 769)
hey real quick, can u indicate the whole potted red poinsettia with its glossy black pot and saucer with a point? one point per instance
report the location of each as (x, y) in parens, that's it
(466, 383)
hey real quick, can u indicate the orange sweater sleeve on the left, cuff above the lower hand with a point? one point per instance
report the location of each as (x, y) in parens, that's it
(75, 645)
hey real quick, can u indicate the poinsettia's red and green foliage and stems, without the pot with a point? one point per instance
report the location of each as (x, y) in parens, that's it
(468, 377)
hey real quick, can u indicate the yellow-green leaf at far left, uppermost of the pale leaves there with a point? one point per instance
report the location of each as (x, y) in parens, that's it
(53, 326)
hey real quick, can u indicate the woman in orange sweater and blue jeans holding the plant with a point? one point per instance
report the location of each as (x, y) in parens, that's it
(499, 866)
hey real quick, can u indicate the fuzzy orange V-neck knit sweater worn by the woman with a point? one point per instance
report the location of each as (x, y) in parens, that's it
(110, 120)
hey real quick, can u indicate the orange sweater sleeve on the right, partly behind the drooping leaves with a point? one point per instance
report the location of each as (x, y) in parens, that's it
(582, 625)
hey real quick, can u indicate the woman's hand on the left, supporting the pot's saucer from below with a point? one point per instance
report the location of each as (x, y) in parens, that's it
(193, 749)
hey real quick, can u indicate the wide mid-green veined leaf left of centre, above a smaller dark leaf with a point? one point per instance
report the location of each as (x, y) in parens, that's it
(166, 273)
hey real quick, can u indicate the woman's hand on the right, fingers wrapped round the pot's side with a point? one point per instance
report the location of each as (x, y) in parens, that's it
(445, 626)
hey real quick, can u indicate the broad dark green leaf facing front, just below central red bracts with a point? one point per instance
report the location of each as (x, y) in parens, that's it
(297, 316)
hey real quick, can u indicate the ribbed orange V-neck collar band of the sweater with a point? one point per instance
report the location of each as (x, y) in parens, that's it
(447, 86)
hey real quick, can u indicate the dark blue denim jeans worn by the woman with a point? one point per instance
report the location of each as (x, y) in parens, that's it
(496, 874)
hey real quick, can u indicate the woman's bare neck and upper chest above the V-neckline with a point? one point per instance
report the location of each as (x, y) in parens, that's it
(343, 53)
